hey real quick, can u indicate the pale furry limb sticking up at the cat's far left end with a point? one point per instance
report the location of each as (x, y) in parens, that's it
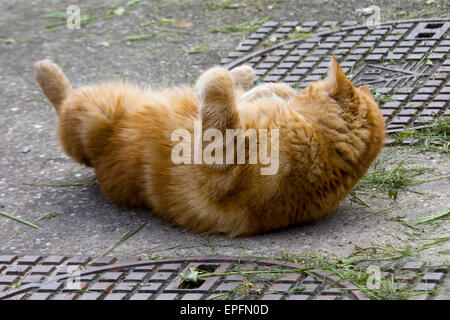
(53, 82)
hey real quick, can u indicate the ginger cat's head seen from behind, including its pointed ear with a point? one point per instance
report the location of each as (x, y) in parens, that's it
(341, 106)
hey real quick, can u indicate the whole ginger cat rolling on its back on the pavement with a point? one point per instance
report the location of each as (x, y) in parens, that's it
(329, 133)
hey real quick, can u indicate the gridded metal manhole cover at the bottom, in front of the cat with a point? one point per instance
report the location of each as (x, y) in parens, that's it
(107, 278)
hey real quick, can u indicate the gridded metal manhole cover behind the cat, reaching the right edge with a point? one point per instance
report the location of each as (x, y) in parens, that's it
(407, 62)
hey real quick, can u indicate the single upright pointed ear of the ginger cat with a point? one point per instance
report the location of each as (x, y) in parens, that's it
(339, 85)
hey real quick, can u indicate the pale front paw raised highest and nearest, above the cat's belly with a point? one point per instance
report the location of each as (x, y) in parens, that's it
(213, 83)
